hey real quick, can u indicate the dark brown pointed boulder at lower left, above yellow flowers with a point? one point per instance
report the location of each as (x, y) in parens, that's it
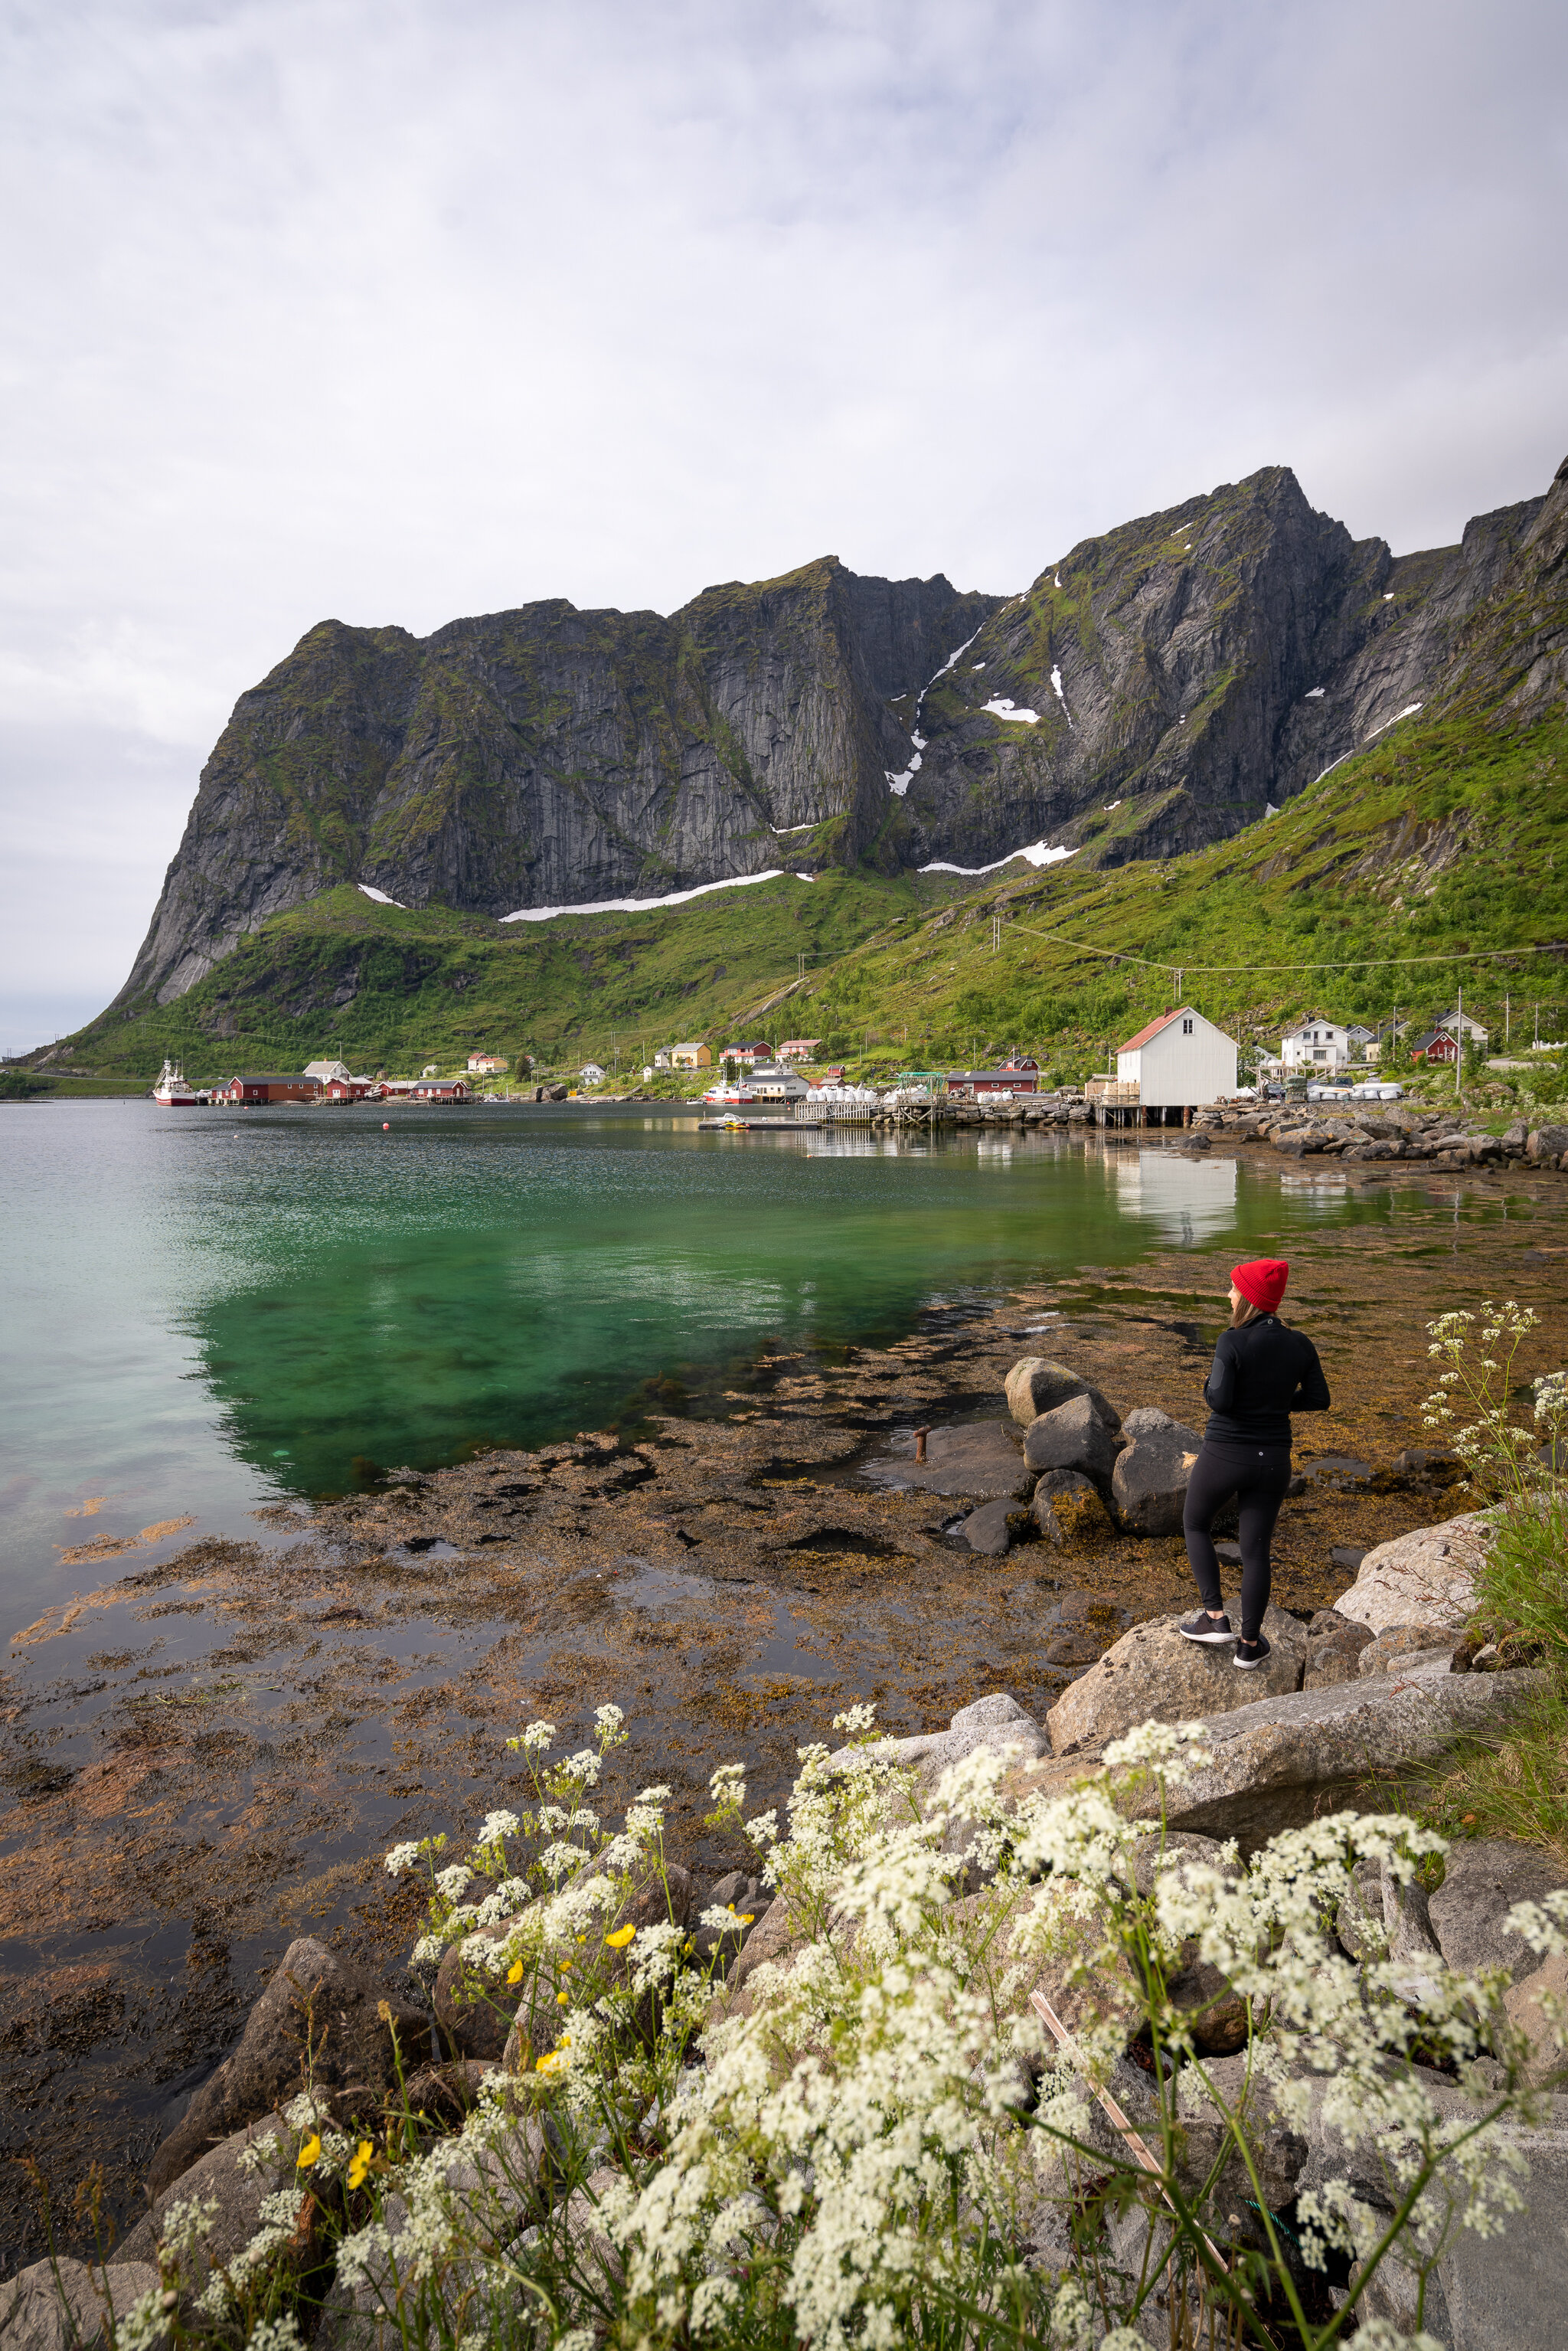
(321, 2004)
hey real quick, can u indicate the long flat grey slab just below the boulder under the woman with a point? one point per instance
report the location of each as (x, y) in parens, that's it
(1287, 1760)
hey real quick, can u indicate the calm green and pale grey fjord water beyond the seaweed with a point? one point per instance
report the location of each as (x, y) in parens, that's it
(213, 1311)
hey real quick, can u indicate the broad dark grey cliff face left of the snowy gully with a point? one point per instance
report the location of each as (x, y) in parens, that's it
(551, 756)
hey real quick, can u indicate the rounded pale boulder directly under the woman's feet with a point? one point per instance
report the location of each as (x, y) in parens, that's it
(1153, 1675)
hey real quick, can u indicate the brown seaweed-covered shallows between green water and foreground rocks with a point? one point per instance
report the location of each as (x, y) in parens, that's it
(210, 1755)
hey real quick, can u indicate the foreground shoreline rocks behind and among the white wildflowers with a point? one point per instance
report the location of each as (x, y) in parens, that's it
(1353, 1687)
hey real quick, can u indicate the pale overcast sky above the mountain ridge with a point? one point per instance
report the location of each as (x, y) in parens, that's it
(434, 307)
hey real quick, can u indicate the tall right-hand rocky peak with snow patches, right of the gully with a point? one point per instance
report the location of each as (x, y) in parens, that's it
(1165, 685)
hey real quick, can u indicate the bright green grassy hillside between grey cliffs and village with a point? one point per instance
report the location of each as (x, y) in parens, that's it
(1440, 840)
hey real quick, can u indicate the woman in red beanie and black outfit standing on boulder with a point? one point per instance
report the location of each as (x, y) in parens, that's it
(1261, 1374)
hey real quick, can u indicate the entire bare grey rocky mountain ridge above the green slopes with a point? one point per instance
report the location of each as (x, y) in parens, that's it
(1153, 692)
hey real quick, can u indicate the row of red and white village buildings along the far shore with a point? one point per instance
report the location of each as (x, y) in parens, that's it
(1181, 1061)
